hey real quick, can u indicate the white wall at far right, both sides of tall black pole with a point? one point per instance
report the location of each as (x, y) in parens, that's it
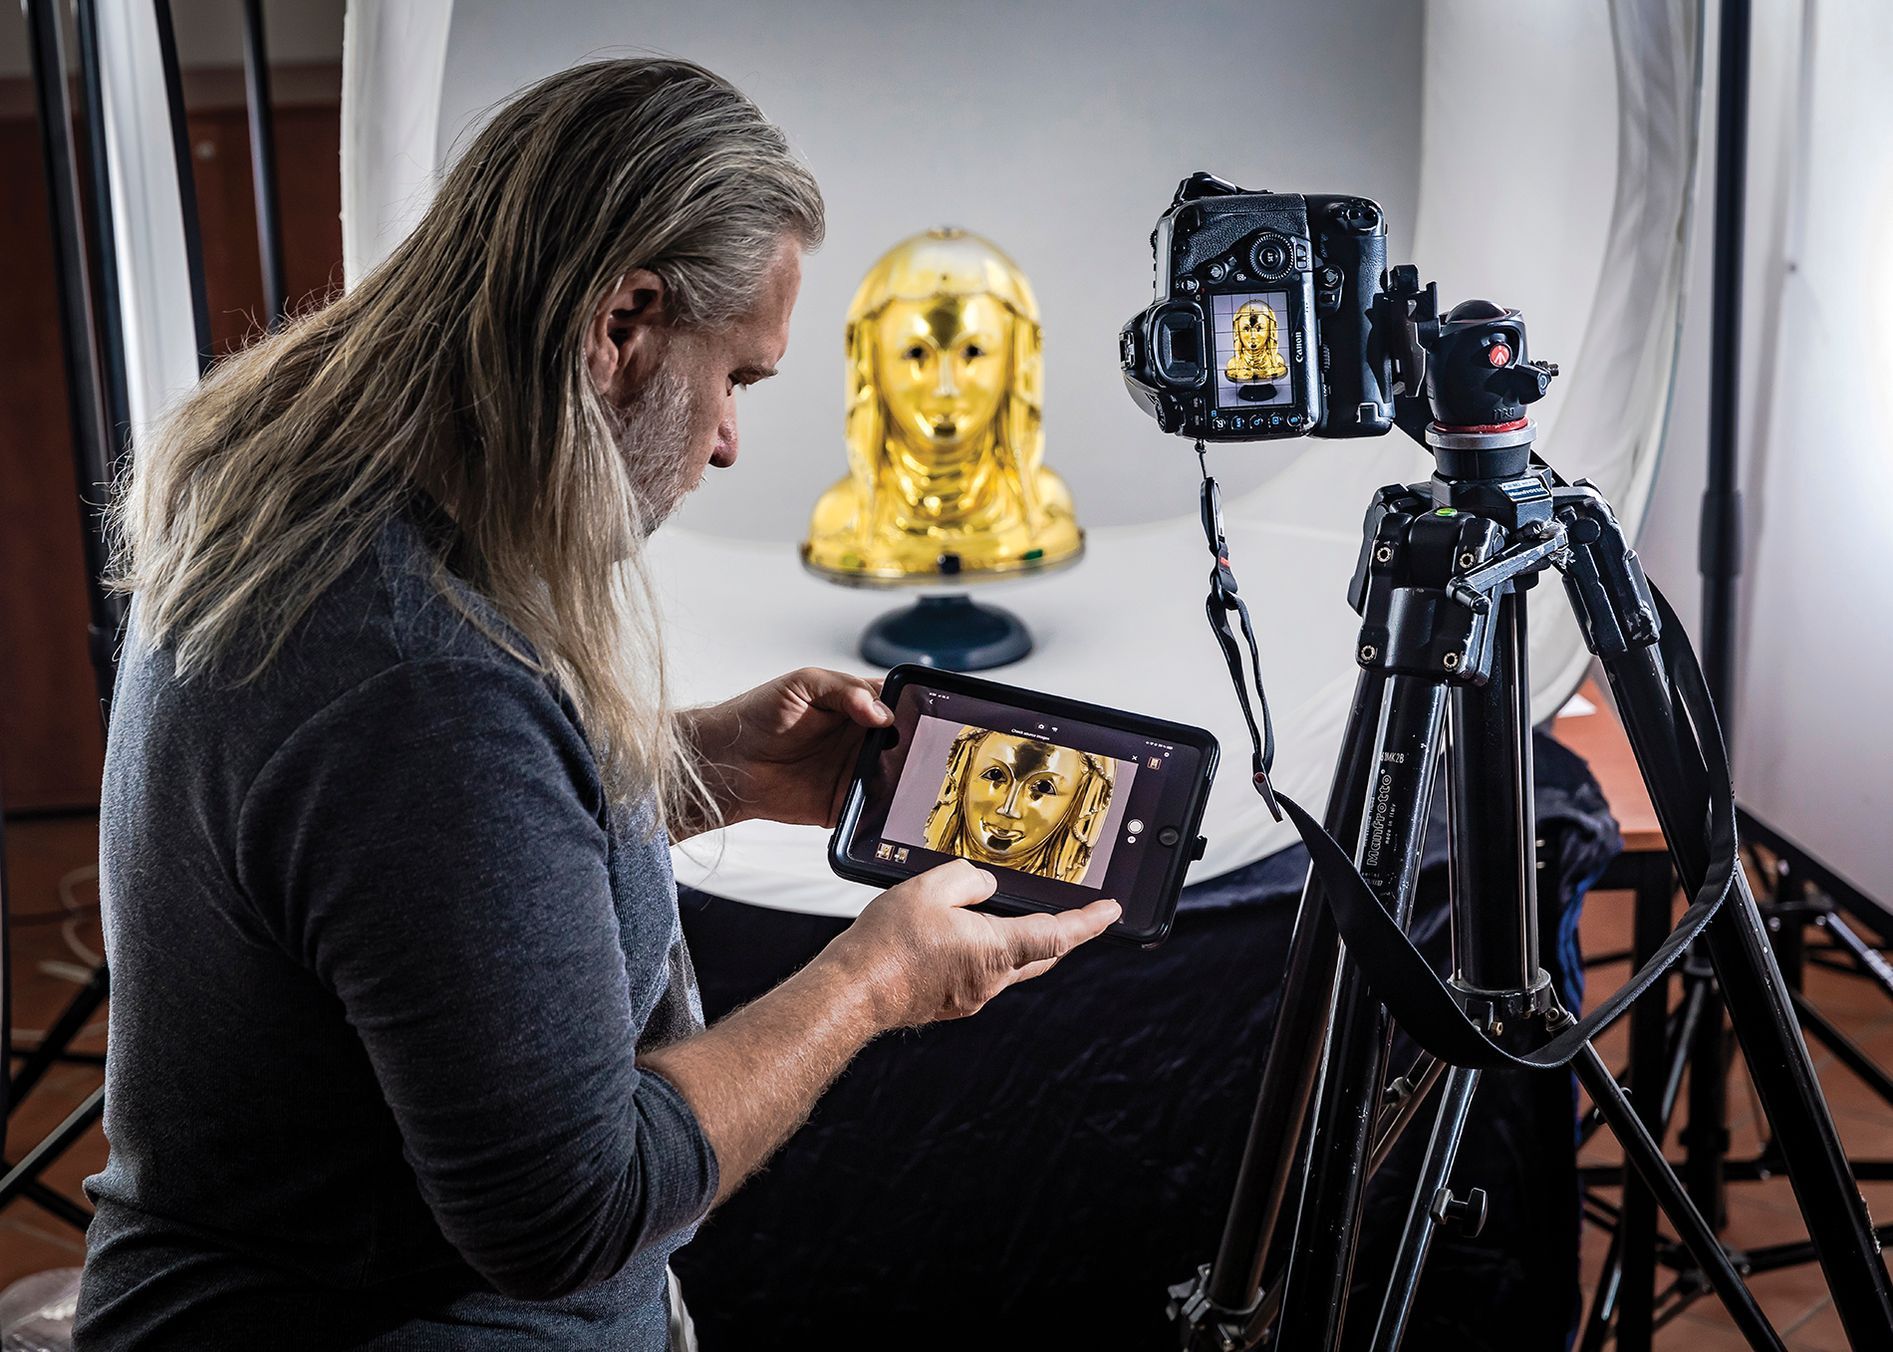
(1811, 736)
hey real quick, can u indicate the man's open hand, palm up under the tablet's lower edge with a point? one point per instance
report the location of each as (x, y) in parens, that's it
(925, 955)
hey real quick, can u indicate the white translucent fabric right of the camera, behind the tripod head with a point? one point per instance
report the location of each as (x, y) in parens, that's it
(1568, 198)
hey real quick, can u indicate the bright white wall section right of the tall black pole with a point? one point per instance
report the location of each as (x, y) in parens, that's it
(1813, 743)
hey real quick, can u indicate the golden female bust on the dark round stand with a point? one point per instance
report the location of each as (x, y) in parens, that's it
(946, 446)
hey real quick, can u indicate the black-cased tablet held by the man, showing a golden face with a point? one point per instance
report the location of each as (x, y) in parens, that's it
(1061, 802)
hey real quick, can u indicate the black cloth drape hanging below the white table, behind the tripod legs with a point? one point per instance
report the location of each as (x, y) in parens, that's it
(1038, 1175)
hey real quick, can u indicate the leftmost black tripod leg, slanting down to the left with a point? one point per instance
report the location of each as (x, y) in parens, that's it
(1296, 1044)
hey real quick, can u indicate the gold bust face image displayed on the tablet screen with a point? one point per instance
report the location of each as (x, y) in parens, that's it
(1021, 804)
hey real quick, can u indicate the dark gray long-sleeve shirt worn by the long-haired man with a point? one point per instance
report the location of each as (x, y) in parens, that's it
(381, 955)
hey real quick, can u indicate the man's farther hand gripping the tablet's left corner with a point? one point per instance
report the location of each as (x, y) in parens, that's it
(785, 751)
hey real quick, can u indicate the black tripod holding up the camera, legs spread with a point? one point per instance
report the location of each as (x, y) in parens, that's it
(1442, 590)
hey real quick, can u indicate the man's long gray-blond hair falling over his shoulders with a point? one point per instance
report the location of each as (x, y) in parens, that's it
(457, 368)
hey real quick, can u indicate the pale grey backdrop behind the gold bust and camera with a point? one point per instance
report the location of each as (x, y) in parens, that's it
(1059, 132)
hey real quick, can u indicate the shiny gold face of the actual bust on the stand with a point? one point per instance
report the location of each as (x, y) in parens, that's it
(944, 370)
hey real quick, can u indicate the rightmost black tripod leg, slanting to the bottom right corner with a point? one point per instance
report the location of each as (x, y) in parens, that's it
(1761, 1012)
